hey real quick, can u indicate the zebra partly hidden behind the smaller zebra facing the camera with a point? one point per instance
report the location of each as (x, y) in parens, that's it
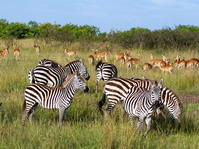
(116, 89)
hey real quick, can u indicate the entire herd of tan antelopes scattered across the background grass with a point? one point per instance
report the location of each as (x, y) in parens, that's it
(164, 64)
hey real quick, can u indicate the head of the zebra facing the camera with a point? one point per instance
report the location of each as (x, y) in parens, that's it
(156, 94)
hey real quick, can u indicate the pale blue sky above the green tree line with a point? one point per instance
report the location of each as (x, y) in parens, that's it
(107, 15)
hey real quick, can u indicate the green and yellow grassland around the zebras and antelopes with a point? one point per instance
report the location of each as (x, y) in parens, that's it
(84, 126)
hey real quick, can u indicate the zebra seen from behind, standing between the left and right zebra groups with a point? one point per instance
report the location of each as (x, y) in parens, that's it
(104, 71)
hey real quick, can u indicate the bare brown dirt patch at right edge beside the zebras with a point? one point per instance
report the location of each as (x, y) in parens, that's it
(189, 99)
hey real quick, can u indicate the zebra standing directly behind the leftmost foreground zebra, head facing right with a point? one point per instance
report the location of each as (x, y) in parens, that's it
(55, 76)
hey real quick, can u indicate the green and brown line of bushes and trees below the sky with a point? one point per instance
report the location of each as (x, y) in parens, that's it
(179, 37)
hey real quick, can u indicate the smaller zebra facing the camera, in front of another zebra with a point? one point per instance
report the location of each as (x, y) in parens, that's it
(143, 104)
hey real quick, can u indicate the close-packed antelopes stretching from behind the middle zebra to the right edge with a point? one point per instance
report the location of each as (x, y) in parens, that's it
(164, 64)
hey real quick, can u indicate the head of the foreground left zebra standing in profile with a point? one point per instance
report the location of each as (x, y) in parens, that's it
(79, 83)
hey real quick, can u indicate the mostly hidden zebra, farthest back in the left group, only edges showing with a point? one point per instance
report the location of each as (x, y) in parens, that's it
(43, 62)
